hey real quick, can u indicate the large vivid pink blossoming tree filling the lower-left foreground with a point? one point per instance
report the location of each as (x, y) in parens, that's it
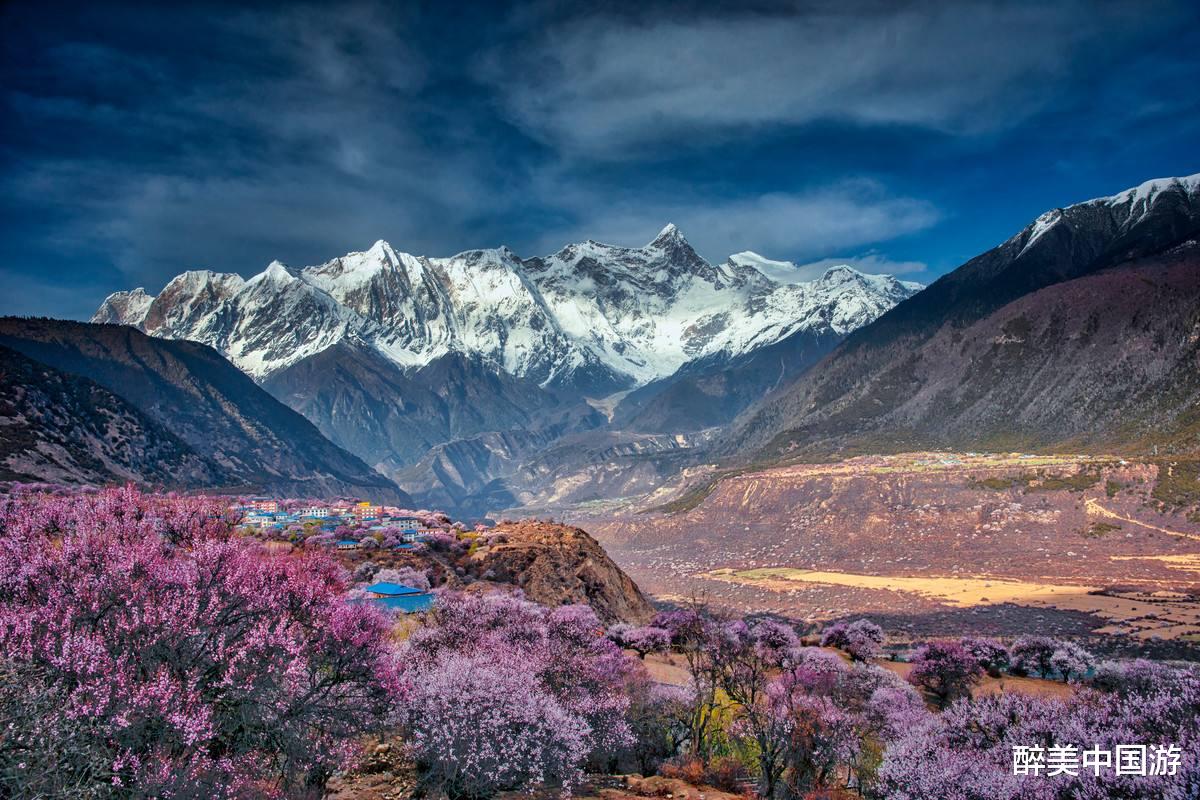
(173, 658)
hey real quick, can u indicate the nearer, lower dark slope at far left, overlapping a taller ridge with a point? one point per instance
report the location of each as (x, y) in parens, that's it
(63, 429)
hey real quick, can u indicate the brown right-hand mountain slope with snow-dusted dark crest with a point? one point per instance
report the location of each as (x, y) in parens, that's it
(1078, 332)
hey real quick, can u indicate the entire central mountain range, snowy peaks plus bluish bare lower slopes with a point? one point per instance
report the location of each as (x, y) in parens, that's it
(451, 375)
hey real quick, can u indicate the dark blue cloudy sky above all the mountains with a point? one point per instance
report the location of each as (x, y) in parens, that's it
(141, 141)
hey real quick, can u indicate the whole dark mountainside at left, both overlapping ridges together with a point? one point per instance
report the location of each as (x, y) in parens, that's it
(104, 404)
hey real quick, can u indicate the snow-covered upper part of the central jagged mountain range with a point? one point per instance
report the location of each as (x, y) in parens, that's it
(592, 316)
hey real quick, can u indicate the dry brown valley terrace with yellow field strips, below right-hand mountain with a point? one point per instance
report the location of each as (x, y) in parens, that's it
(935, 543)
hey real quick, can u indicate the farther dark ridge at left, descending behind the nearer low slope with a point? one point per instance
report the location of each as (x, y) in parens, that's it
(203, 400)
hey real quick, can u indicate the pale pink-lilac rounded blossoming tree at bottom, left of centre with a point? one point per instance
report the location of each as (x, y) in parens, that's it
(506, 694)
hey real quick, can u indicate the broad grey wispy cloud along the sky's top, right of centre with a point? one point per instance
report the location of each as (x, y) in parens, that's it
(610, 86)
